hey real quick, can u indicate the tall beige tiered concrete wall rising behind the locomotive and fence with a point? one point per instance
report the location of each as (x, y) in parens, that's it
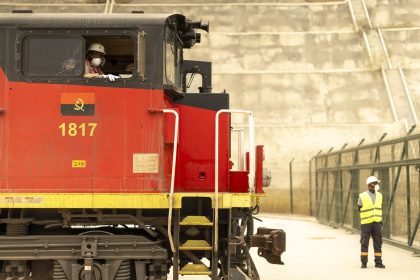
(310, 70)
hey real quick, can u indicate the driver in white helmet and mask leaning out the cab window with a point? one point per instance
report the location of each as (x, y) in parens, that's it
(95, 59)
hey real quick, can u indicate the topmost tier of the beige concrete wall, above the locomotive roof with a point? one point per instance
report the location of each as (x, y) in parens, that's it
(255, 17)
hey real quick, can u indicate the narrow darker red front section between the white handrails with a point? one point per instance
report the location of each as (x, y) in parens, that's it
(195, 161)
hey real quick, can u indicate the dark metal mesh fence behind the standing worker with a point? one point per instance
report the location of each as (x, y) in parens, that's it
(337, 178)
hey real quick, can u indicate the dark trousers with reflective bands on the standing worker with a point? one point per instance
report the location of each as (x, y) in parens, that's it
(375, 230)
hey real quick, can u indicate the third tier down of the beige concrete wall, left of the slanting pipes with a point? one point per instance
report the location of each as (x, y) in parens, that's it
(309, 99)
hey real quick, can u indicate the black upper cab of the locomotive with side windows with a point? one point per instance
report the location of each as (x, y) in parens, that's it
(146, 53)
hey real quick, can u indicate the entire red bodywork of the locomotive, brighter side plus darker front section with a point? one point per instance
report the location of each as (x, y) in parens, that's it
(37, 147)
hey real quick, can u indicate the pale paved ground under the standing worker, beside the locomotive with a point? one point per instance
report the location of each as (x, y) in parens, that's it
(316, 251)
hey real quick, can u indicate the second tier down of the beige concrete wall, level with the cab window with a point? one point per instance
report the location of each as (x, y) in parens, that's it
(285, 52)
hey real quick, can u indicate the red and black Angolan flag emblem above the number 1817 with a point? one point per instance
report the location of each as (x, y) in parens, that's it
(77, 104)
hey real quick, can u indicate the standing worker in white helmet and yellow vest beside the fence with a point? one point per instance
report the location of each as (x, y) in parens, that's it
(370, 208)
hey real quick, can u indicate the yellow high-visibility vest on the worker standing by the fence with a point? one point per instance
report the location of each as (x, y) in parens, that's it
(370, 212)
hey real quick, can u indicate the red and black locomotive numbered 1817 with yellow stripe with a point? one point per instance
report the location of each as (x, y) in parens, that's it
(121, 178)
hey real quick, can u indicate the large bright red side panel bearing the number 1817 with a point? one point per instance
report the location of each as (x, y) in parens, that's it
(41, 145)
